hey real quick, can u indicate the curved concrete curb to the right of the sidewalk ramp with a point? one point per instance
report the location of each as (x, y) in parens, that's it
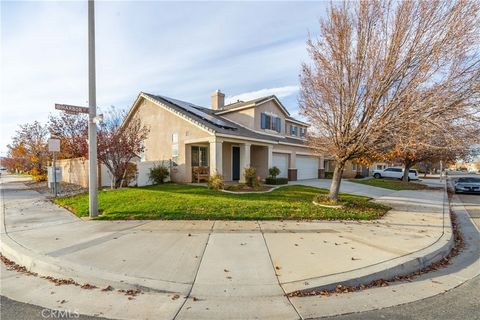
(403, 265)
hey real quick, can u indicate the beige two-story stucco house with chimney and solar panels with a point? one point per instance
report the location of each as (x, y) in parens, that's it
(225, 138)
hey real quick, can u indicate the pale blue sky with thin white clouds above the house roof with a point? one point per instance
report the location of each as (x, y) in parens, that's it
(184, 50)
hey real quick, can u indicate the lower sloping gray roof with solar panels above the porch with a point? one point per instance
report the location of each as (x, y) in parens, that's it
(217, 123)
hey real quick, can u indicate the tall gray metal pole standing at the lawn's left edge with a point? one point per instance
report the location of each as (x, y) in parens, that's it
(92, 104)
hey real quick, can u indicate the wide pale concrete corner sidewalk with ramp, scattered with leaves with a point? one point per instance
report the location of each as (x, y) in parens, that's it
(234, 269)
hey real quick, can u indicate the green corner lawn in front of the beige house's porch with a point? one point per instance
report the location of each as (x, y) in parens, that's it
(182, 202)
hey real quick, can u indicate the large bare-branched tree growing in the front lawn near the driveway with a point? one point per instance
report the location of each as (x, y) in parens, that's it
(369, 61)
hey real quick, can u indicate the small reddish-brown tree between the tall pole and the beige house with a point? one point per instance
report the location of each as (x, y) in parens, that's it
(119, 141)
